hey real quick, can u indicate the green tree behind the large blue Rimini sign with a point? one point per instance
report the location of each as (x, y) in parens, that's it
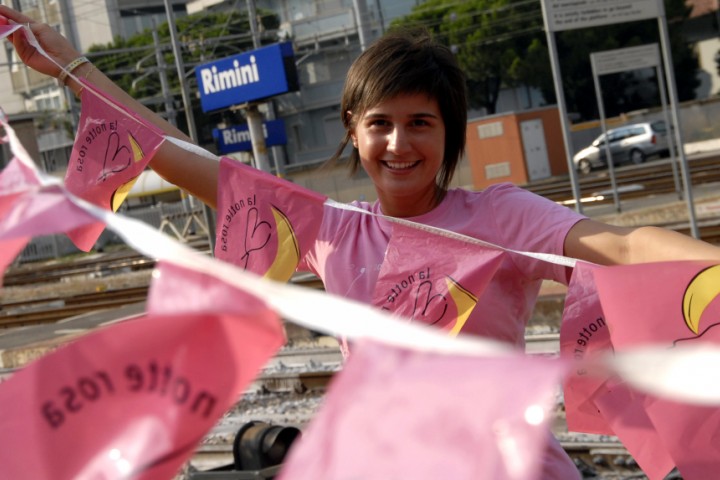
(203, 37)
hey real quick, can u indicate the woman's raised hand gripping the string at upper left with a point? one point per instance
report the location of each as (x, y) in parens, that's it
(54, 44)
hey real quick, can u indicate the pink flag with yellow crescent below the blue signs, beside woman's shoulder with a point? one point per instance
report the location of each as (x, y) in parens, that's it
(265, 224)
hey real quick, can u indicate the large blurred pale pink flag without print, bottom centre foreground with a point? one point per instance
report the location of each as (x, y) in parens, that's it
(396, 413)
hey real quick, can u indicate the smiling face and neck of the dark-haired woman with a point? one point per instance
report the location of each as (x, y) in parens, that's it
(401, 143)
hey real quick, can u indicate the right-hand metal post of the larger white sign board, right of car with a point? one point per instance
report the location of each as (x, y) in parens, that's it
(672, 89)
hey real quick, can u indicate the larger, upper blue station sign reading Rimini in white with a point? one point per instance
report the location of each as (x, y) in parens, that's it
(247, 77)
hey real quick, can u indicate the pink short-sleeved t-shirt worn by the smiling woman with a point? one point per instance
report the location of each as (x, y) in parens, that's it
(351, 246)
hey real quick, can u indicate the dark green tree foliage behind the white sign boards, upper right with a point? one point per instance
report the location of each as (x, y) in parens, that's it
(502, 43)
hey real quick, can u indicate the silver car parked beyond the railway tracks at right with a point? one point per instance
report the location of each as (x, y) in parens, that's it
(632, 143)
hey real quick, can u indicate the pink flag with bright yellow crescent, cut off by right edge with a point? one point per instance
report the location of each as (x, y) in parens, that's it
(675, 304)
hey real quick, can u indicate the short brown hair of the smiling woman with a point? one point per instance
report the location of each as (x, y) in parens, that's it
(408, 61)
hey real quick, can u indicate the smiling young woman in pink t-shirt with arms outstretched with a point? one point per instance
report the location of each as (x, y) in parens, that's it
(404, 111)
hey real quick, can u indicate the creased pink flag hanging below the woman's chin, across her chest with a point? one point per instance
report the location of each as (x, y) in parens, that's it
(439, 290)
